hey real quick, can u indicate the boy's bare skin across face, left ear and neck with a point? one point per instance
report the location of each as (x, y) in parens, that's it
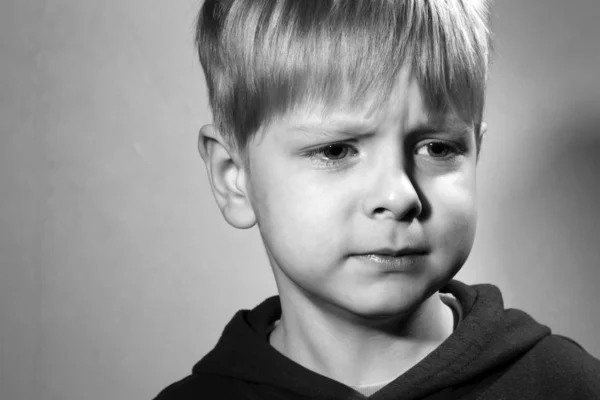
(346, 317)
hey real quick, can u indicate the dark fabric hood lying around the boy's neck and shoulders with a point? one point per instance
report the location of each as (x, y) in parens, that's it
(488, 338)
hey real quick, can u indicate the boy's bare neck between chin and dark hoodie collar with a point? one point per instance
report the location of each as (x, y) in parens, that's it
(356, 352)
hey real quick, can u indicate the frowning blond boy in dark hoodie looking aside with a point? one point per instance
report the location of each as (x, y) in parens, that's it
(349, 131)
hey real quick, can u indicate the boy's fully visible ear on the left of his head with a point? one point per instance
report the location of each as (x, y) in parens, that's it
(228, 178)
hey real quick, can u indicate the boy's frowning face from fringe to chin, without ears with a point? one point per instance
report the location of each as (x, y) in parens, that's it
(326, 190)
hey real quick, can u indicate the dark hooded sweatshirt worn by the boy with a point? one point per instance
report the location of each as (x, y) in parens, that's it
(494, 353)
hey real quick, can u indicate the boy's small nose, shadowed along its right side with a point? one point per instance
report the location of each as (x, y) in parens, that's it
(393, 194)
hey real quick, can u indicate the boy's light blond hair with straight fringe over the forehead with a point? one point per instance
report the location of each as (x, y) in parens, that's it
(263, 58)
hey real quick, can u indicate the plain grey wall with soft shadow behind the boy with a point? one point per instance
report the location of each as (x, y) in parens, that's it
(117, 270)
